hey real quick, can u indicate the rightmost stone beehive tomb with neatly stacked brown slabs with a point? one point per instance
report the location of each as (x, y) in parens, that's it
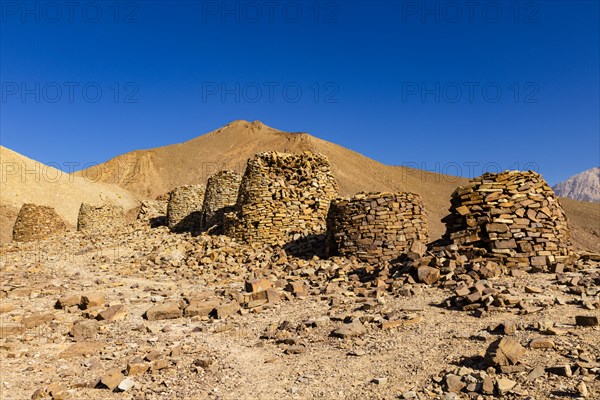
(512, 216)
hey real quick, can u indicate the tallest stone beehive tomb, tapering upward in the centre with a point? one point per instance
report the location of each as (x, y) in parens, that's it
(282, 198)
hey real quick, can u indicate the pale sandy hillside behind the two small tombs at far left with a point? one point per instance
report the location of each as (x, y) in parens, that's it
(23, 180)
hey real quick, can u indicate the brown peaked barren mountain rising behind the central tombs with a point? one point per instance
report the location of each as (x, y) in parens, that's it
(155, 171)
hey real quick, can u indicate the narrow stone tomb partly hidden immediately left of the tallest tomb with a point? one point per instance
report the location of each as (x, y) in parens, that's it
(220, 198)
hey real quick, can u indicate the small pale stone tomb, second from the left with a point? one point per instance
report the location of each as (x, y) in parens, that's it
(104, 218)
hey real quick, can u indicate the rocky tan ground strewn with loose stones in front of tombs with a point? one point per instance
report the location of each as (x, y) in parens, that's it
(148, 314)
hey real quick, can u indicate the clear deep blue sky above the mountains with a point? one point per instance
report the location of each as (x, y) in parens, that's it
(450, 87)
